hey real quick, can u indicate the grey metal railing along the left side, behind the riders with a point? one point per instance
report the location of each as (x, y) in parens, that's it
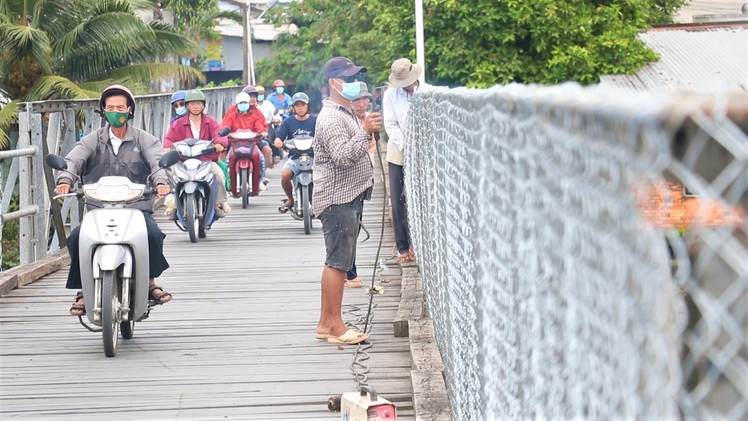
(55, 127)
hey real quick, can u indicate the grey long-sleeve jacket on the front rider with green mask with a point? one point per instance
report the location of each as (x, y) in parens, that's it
(93, 157)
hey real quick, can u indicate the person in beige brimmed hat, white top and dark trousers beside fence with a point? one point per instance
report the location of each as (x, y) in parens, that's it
(395, 104)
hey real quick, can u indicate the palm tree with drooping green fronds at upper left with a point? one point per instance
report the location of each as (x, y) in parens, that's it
(72, 49)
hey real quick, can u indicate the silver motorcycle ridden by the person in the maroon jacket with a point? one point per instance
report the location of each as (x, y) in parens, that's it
(195, 187)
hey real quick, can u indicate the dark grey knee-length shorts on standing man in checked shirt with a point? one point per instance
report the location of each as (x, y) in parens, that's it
(340, 226)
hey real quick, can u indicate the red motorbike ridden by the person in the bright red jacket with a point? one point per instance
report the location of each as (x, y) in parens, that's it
(244, 164)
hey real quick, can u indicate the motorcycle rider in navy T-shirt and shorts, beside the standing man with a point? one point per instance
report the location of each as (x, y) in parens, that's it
(301, 124)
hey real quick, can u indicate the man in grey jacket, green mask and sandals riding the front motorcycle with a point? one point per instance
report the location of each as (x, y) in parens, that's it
(102, 153)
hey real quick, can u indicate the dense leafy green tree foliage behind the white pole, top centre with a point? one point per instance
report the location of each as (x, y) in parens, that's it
(478, 43)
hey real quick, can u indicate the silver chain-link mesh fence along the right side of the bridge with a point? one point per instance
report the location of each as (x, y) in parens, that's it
(584, 250)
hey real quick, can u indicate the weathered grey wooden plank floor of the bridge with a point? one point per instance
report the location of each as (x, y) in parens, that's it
(237, 341)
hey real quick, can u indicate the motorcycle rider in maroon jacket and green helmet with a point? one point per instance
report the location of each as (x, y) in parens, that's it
(204, 127)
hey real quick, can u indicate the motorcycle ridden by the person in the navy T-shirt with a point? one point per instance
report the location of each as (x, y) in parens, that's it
(303, 186)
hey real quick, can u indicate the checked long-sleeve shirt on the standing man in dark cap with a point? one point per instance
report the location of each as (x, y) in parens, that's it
(342, 168)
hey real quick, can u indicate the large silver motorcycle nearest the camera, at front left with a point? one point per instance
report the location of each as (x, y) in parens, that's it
(113, 254)
